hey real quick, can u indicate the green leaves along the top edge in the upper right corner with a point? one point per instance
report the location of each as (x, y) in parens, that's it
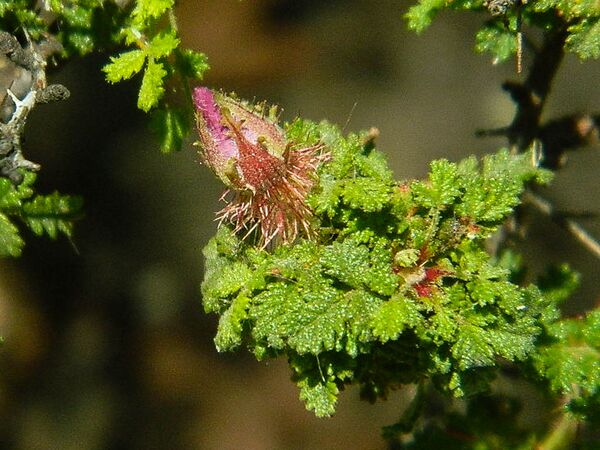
(498, 34)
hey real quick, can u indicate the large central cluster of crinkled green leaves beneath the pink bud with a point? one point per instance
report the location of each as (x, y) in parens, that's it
(397, 269)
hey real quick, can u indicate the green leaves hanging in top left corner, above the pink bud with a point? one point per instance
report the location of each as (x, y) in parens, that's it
(147, 28)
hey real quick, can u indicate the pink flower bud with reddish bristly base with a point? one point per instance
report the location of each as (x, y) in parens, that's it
(268, 176)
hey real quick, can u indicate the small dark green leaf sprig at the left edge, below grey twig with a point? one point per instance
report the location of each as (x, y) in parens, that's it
(43, 215)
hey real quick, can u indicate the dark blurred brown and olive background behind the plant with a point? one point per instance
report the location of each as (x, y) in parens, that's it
(106, 345)
